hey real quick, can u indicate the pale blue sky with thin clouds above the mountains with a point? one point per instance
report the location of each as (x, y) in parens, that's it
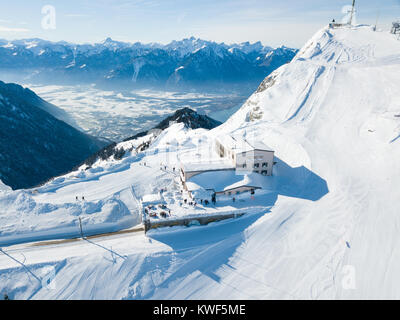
(288, 22)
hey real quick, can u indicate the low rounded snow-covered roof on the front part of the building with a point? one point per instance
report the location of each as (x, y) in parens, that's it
(225, 180)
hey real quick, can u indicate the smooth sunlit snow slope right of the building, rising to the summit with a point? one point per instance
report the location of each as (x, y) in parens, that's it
(335, 110)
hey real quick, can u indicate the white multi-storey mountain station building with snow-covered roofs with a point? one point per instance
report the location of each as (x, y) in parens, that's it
(239, 167)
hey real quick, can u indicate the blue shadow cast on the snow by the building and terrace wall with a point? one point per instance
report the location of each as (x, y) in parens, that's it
(207, 249)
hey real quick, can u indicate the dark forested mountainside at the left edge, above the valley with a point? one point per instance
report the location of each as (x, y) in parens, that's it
(34, 144)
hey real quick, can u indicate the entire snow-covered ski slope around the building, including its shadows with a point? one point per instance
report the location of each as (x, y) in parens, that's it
(328, 227)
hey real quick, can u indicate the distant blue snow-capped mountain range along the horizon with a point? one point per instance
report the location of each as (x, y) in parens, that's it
(189, 63)
